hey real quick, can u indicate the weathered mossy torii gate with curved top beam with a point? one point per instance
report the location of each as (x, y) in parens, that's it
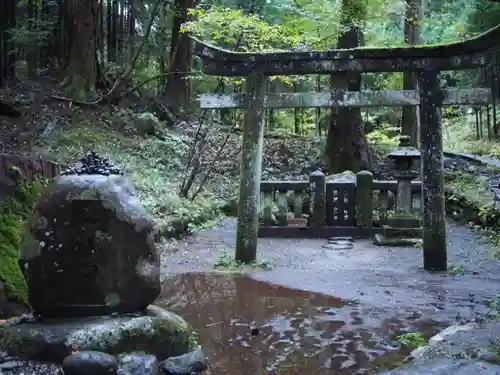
(426, 61)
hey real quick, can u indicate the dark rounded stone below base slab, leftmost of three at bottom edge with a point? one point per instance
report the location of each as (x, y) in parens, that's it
(90, 363)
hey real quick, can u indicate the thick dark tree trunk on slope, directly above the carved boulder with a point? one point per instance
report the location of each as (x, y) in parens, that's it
(82, 65)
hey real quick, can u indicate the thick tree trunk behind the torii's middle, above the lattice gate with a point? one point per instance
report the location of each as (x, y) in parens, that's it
(346, 145)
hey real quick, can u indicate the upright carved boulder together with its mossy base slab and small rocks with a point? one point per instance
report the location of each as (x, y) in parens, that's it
(93, 272)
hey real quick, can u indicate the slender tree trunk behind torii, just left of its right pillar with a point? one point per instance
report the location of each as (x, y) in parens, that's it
(413, 17)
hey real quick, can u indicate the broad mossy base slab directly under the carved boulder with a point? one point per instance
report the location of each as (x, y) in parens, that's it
(158, 332)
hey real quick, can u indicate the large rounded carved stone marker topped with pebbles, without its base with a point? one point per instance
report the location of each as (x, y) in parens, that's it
(88, 248)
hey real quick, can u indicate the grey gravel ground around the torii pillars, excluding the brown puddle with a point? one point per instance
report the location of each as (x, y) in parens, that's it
(380, 278)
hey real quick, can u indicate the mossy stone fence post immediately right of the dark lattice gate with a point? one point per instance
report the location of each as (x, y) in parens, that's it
(364, 201)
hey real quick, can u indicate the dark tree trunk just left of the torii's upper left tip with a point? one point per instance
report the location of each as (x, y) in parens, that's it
(177, 88)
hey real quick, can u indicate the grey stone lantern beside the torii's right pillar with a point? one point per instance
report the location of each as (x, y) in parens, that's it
(403, 228)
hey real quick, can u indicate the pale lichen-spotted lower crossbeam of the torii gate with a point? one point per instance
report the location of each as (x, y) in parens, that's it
(475, 96)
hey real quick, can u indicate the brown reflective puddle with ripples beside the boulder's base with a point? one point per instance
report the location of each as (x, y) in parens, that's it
(250, 327)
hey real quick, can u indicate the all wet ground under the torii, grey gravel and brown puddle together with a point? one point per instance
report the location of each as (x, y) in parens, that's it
(319, 310)
